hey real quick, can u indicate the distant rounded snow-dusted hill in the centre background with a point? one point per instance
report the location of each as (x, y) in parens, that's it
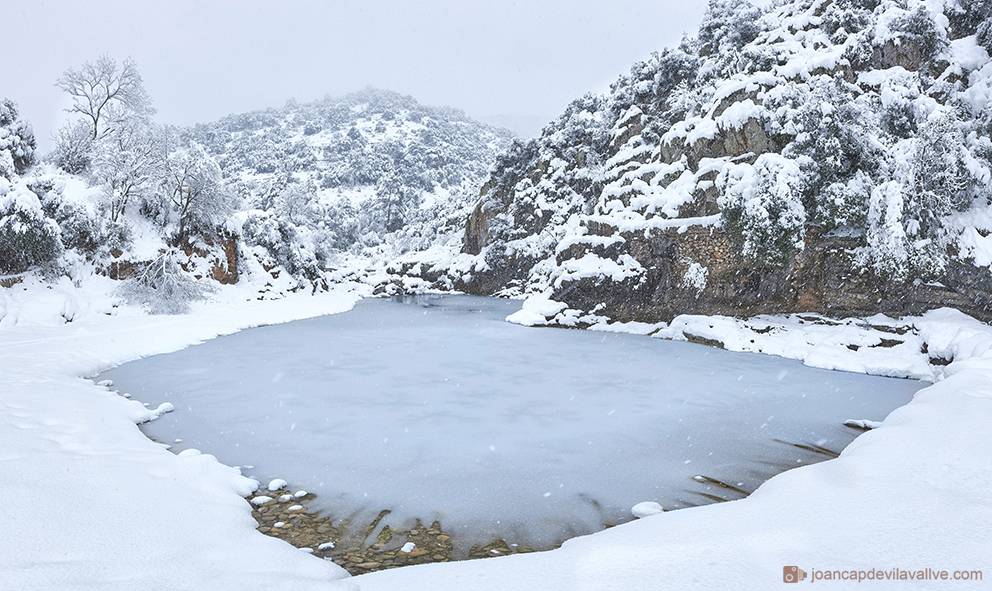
(370, 172)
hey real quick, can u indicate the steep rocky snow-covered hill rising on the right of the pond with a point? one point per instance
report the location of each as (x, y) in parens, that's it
(828, 155)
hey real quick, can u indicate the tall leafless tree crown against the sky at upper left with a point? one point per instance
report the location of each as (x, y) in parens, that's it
(105, 94)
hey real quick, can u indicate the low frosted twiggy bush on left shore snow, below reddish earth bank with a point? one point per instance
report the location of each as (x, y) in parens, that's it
(162, 287)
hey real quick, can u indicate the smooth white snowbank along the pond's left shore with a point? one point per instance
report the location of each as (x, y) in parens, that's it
(88, 501)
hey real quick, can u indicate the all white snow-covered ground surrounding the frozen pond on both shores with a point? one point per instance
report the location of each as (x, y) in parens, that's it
(89, 503)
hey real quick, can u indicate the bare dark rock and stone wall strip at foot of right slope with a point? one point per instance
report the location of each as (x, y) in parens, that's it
(822, 278)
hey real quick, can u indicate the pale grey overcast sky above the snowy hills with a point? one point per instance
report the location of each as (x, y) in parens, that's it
(203, 59)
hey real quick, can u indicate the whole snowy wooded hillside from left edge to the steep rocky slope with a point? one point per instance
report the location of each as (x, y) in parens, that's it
(283, 198)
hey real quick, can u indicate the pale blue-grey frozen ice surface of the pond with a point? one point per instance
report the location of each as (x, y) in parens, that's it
(438, 409)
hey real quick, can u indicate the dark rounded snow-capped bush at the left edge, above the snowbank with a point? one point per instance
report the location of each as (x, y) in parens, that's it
(27, 237)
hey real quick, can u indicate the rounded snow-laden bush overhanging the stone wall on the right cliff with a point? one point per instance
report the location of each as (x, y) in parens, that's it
(762, 205)
